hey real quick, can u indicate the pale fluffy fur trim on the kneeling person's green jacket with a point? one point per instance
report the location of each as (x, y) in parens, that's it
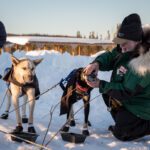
(141, 64)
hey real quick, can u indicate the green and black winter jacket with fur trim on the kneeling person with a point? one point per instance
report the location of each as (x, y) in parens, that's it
(132, 89)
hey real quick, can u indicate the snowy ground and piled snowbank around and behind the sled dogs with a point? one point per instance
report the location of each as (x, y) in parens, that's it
(53, 68)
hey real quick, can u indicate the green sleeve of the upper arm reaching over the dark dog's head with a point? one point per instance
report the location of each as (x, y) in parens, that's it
(106, 60)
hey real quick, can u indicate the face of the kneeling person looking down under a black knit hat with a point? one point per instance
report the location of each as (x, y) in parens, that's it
(128, 46)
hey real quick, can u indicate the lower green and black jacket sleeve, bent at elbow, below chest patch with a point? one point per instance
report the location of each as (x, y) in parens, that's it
(130, 87)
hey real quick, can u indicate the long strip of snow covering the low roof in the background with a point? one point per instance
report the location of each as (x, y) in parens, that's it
(25, 39)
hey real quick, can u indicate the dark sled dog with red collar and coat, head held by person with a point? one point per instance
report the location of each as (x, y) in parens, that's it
(76, 89)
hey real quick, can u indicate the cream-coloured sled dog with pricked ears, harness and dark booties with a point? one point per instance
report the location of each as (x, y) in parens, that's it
(23, 80)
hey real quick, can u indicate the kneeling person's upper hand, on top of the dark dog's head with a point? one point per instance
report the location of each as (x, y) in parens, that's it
(91, 68)
